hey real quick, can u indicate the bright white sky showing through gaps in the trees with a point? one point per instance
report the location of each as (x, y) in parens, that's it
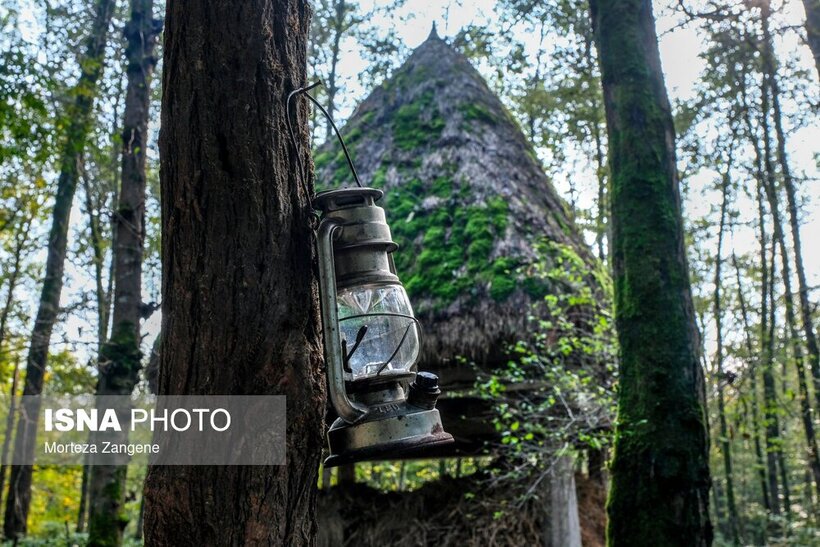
(679, 48)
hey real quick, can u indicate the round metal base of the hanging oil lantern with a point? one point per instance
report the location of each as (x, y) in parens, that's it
(394, 437)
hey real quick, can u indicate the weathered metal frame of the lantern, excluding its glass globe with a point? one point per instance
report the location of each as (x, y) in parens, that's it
(379, 418)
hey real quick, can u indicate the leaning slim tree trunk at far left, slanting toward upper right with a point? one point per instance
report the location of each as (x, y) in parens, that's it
(79, 114)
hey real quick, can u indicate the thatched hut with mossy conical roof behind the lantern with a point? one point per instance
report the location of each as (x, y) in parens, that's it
(474, 216)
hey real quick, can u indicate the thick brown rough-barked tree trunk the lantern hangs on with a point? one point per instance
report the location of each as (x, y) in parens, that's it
(240, 308)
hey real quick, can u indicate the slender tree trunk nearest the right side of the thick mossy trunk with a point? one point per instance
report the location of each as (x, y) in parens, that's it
(725, 442)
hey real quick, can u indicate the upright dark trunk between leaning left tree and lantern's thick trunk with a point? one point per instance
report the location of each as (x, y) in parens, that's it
(120, 358)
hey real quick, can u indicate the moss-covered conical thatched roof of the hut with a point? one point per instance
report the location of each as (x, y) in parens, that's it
(466, 198)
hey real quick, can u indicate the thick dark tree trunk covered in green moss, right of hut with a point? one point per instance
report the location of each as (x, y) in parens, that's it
(660, 472)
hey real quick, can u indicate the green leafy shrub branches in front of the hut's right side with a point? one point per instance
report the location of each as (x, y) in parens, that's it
(565, 367)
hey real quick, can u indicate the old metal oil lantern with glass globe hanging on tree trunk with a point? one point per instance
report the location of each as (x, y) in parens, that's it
(372, 339)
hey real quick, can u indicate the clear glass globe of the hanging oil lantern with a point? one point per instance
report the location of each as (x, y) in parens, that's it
(380, 336)
